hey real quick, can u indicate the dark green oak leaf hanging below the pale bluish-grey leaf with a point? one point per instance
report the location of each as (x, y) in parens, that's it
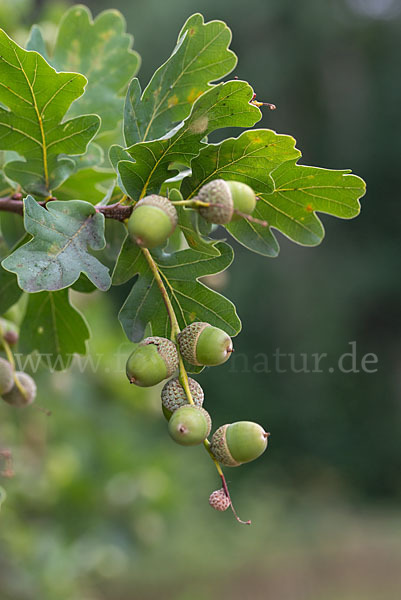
(54, 328)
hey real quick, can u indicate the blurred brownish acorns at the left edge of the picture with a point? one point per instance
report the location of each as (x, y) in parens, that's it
(16, 387)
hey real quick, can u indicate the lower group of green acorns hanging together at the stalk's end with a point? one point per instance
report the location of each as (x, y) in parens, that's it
(155, 359)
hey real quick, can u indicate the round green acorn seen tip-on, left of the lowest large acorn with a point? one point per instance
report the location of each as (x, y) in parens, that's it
(189, 425)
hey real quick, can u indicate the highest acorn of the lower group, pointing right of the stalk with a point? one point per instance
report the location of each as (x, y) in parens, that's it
(202, 344)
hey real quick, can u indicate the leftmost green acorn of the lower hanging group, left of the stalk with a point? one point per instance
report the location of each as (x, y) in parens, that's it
(154, 359)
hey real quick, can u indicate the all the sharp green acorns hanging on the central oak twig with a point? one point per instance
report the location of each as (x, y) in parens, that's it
(154, 359)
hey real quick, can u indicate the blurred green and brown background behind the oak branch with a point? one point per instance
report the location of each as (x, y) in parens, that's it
(103, 505)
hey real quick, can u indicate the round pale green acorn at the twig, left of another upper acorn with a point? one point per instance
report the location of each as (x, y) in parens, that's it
(152, 221)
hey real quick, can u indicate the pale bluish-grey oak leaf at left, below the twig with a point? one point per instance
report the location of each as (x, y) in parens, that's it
(62, 233)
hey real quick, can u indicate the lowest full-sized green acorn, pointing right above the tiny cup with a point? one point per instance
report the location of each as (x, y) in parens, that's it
(238, 443)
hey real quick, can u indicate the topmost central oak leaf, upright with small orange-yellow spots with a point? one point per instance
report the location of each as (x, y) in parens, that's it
(200, 57)
